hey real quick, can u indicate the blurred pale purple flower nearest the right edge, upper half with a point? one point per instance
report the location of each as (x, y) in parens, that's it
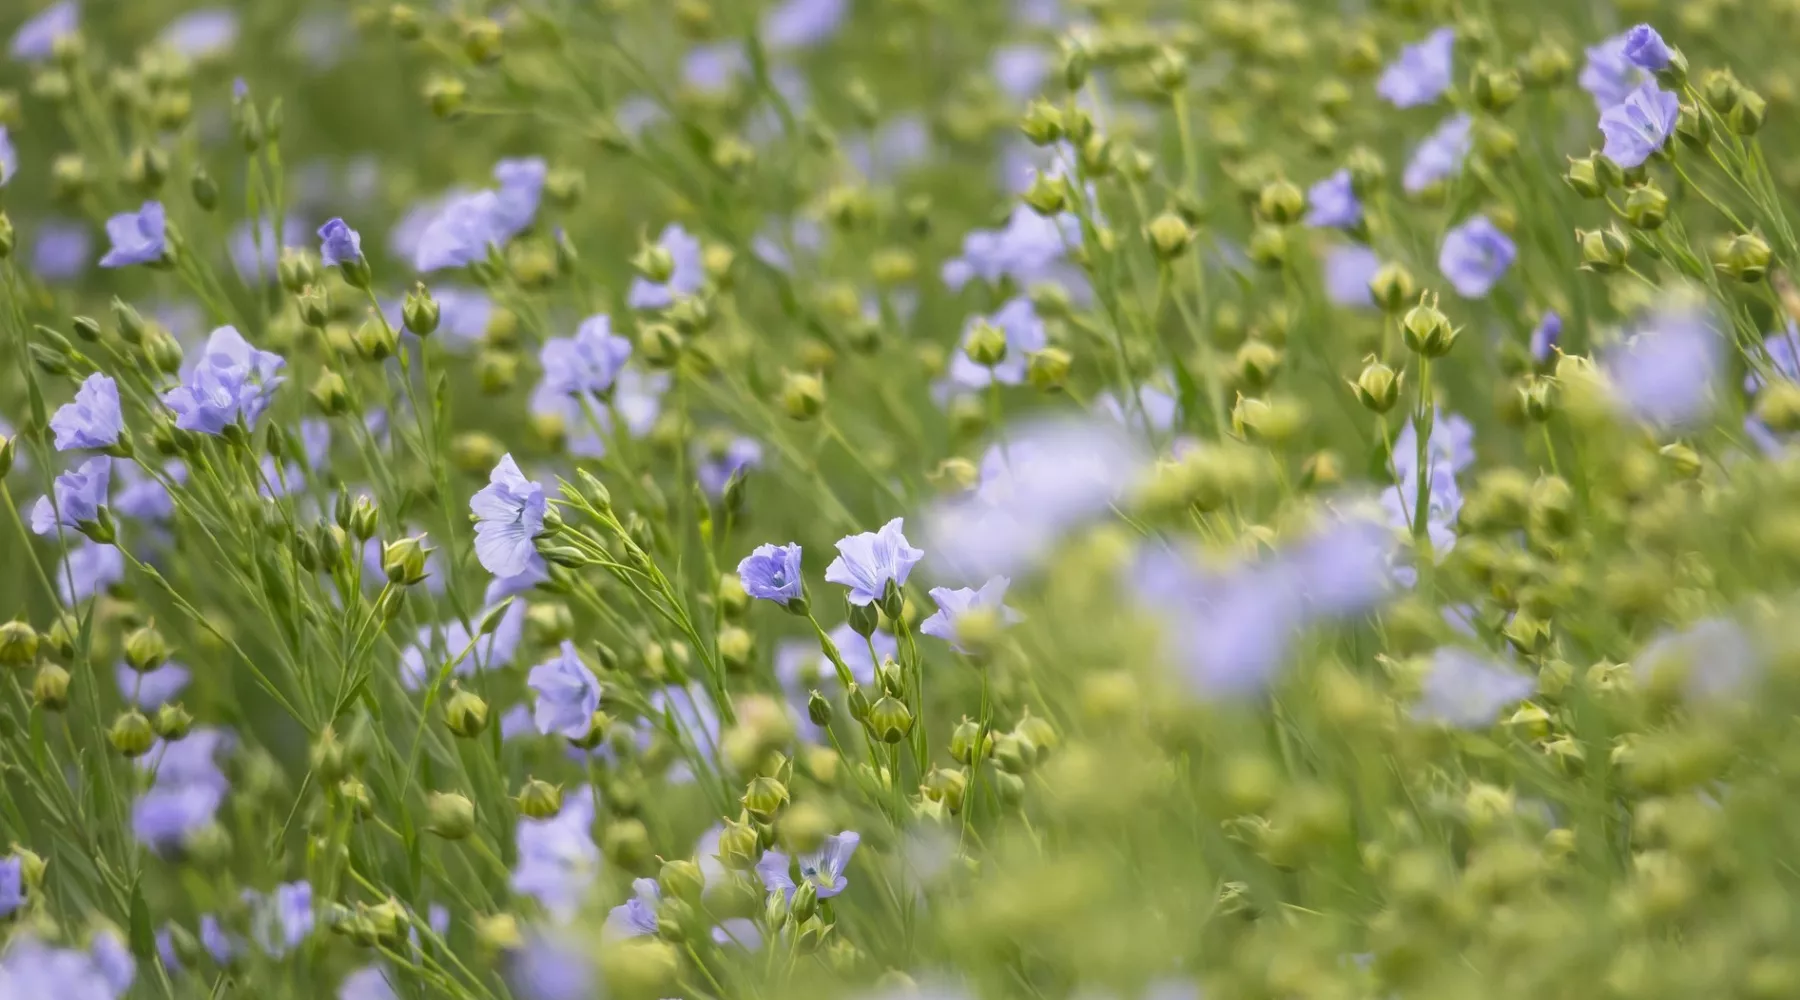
(1666, 375)
